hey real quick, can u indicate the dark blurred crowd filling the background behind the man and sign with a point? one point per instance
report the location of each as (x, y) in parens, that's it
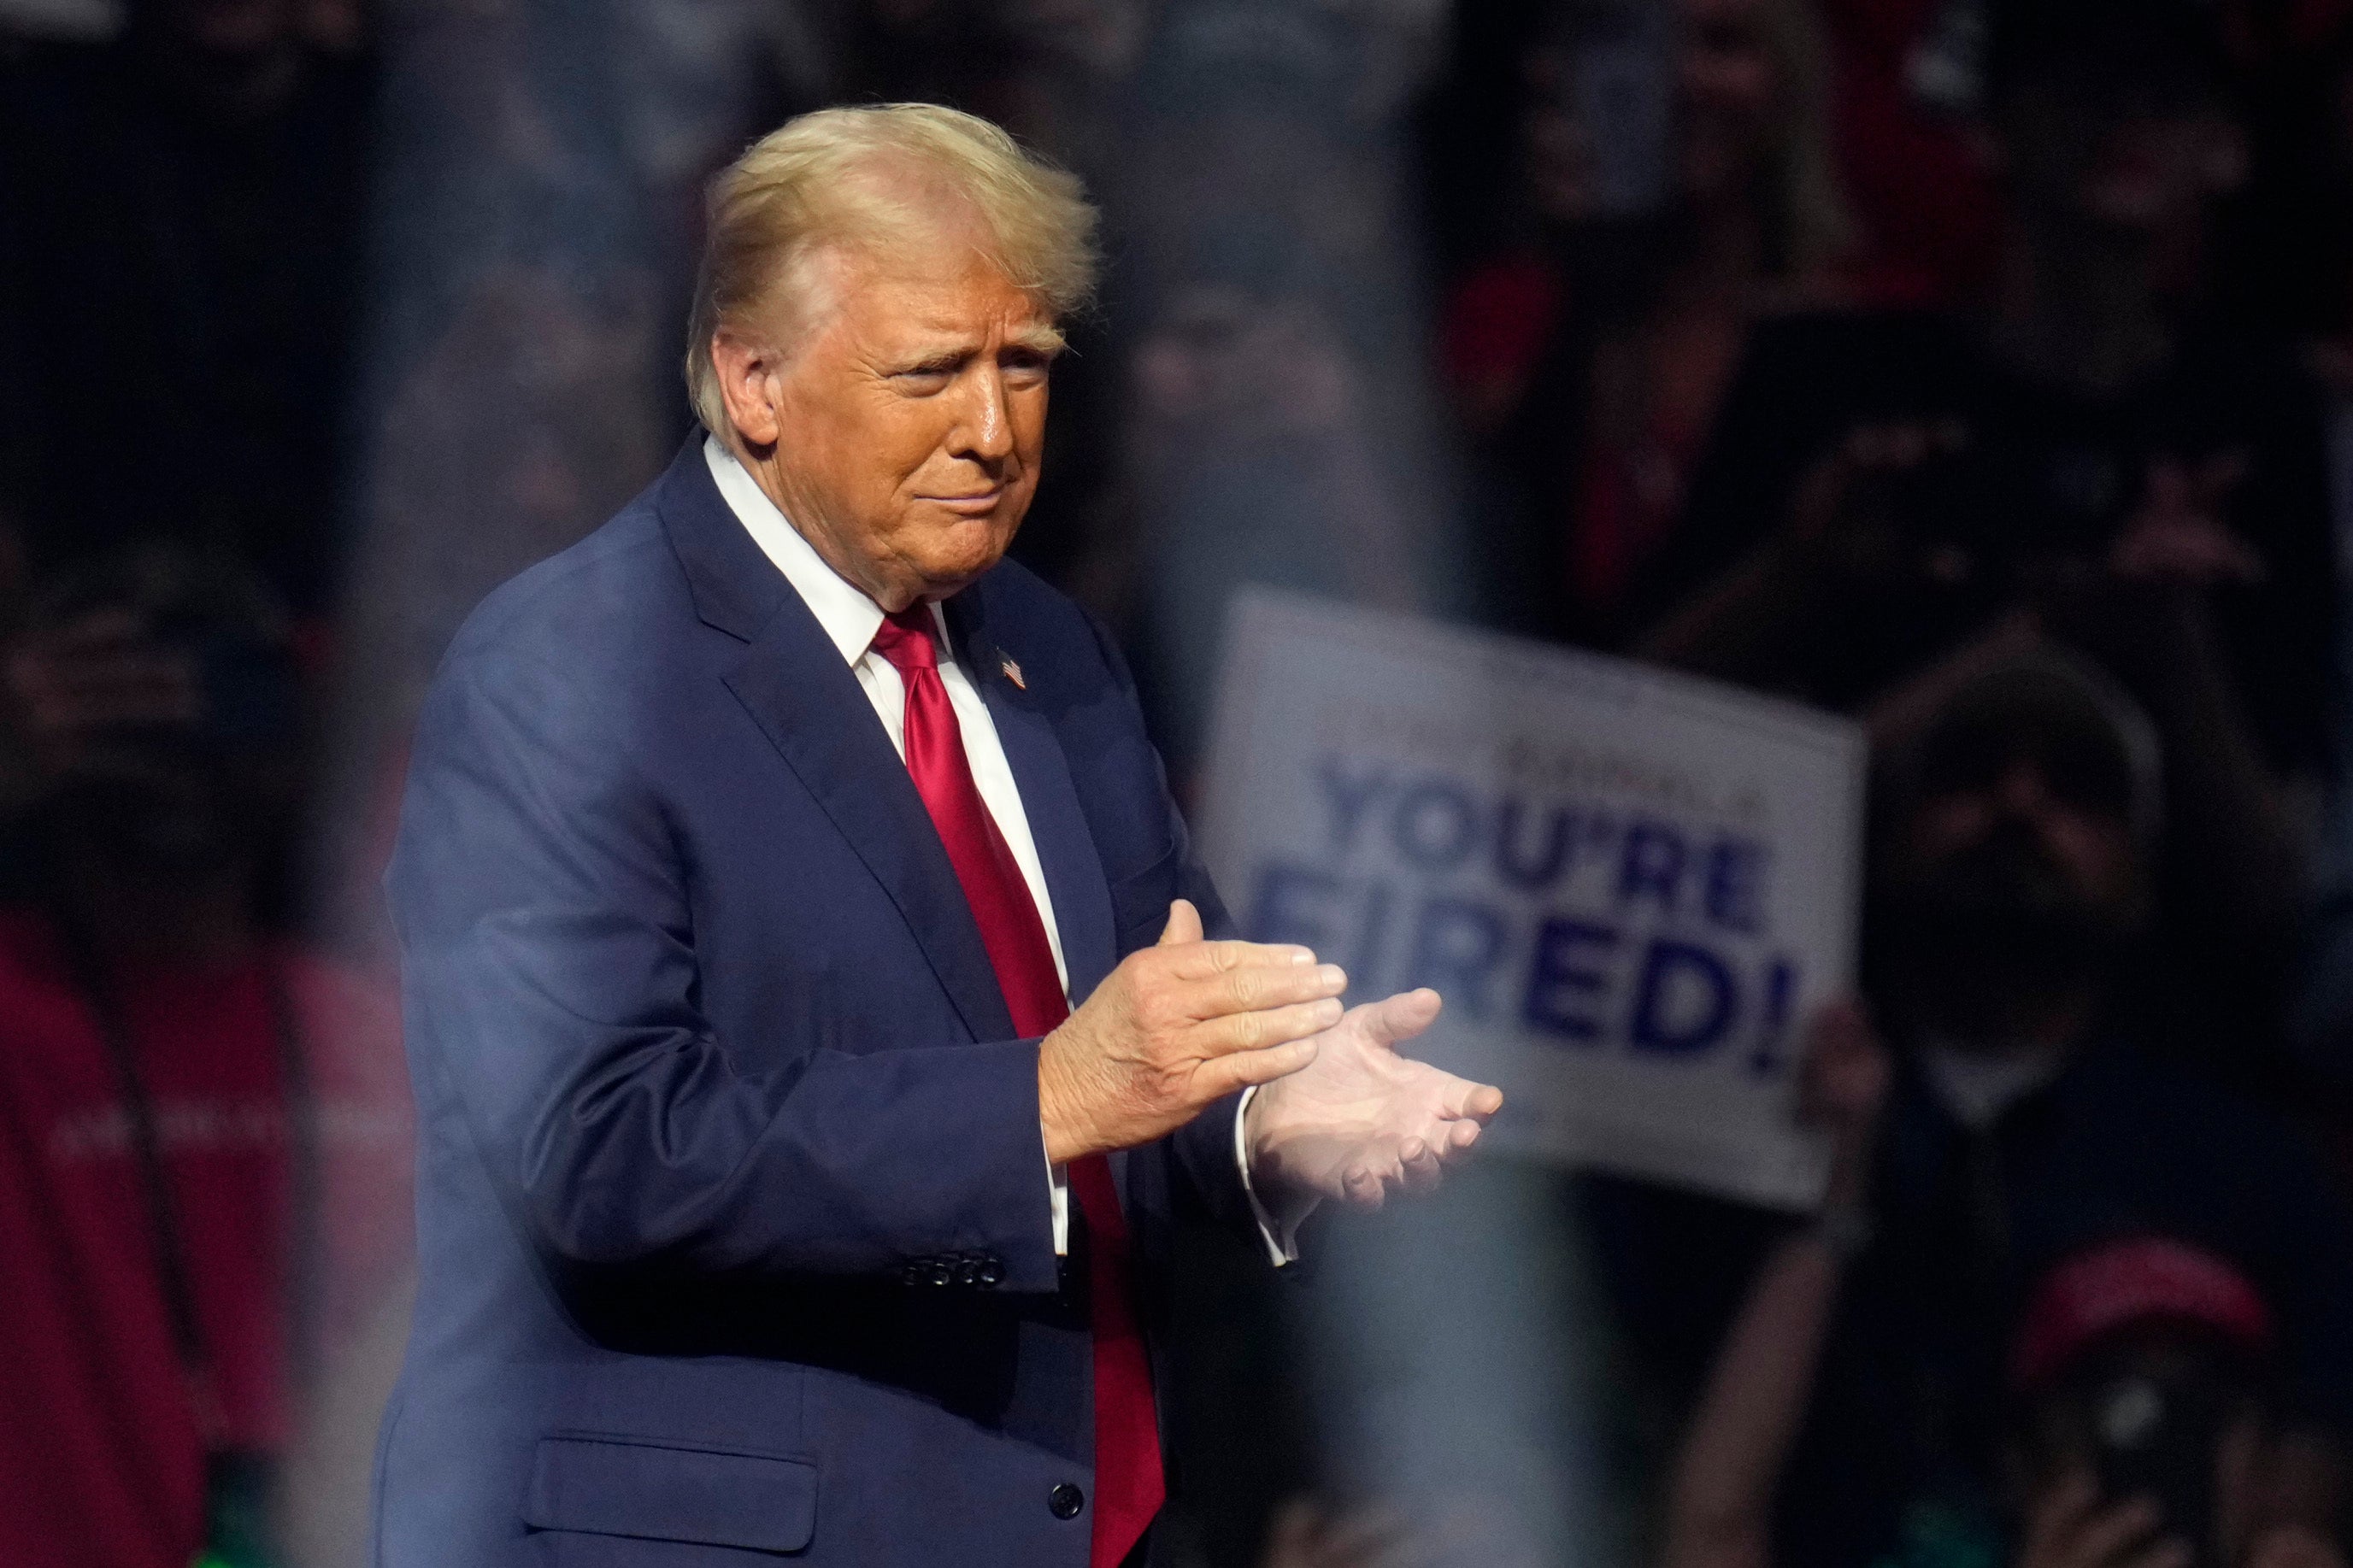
(1973, 368)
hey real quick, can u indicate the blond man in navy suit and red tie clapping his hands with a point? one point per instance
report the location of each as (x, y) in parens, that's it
(773, 1195)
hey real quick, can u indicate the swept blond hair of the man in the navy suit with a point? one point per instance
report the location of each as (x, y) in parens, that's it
(841, 180)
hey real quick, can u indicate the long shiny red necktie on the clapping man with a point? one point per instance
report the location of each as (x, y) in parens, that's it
(1128, 1485)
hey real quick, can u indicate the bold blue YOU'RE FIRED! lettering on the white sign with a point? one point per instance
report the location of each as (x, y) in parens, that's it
(1658, 946)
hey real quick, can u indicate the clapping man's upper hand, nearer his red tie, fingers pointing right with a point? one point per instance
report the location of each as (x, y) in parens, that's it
(1178, 1028)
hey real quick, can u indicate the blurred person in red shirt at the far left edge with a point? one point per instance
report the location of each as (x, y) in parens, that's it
(204, 1134)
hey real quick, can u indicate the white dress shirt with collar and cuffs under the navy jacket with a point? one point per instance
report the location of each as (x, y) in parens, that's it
(851, 622)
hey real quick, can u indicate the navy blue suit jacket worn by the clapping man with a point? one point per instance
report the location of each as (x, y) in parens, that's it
(733, 1207)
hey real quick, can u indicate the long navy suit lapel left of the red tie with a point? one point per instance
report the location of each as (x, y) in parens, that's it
(808, 704)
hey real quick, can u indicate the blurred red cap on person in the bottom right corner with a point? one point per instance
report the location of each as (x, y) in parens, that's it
(2131, 1282)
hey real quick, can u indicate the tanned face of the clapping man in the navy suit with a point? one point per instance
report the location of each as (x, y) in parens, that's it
(905, 424)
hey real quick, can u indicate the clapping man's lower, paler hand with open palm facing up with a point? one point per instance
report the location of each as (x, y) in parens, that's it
(1364, 1120)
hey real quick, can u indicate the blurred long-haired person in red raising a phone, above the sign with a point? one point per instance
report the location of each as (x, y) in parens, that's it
(1677, 187)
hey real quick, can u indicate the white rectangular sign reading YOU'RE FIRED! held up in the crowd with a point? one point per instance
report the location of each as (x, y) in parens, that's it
(1629, 885)
